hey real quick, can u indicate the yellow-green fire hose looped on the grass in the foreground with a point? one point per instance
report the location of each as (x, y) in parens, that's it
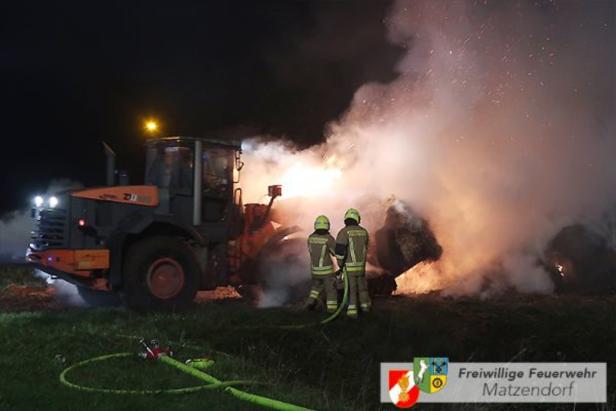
(211, 383)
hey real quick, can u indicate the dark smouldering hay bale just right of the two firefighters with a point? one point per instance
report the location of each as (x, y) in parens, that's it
(405, 240)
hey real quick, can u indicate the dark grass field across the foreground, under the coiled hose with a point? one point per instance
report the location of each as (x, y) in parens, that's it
(335, 367)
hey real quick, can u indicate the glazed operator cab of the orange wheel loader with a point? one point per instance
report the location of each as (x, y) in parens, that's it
(195, 177)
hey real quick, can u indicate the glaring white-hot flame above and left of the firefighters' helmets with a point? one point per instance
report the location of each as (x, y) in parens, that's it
(302, 180)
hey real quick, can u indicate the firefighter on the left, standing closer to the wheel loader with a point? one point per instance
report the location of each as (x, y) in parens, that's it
(321, 247)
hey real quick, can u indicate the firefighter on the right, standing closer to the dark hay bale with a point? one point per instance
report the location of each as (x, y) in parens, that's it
(351, 251)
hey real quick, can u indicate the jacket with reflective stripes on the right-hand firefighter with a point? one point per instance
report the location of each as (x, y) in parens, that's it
(352, 248)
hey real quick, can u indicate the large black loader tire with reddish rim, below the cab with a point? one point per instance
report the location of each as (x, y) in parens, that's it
(160, 272)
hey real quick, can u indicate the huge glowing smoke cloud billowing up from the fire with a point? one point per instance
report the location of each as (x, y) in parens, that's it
(499, 130)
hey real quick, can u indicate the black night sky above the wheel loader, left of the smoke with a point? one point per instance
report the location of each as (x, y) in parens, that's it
(76, 73)
